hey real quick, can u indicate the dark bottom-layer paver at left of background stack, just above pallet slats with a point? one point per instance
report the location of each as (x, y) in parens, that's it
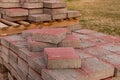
(21, 18)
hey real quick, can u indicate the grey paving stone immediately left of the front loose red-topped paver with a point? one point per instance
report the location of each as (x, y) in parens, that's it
(36, 62)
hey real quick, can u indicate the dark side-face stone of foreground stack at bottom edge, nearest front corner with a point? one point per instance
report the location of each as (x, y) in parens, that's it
(34, 75)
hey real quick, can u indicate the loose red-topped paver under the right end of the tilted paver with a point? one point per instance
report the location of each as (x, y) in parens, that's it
(70, 41)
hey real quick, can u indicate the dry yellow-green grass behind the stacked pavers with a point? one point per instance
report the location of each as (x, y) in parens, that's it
(99, 15)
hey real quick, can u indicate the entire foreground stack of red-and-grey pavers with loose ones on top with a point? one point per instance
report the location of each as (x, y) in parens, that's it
(57, 53)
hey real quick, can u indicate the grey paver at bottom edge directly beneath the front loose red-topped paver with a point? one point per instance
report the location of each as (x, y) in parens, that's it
(65, 74)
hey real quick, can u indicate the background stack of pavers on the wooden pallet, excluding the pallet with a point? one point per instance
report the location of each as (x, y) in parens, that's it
(35, 10)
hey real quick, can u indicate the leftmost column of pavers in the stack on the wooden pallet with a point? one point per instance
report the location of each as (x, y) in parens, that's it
(12, 11)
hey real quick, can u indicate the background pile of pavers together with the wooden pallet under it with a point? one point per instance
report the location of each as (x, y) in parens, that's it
(29, 14)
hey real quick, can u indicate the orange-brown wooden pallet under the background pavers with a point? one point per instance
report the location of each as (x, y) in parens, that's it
(8, 27)
